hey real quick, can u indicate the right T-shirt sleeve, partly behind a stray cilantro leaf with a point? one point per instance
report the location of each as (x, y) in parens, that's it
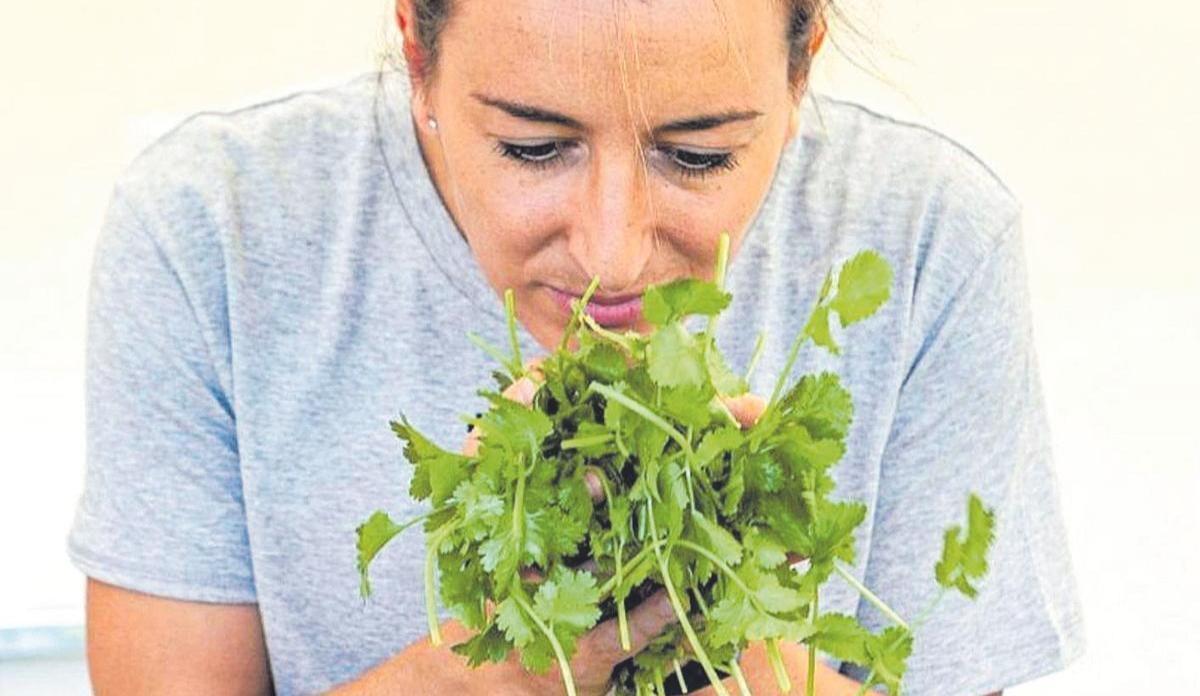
(971, 417)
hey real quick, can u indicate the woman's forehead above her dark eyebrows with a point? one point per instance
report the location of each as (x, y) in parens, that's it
(669, 57)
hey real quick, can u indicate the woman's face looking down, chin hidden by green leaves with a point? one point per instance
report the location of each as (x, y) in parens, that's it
(611, 140)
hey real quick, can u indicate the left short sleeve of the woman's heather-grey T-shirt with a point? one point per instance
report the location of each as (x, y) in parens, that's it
(163, 508)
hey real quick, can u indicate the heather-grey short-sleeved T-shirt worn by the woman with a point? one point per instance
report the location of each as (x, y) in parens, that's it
(272, 286)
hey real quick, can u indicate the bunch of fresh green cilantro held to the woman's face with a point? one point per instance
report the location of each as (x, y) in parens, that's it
(693, 503)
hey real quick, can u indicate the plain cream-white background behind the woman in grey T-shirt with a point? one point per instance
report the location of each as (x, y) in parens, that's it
(1087, 109)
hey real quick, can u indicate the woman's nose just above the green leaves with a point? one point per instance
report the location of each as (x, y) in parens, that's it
(613, 236)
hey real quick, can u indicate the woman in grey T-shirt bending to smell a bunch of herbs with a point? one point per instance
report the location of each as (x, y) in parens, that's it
(277, 284)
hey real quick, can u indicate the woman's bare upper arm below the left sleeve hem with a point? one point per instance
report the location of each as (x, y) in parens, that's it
(140, 644)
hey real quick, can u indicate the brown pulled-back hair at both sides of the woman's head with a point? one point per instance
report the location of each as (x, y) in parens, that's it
(431, 17)
